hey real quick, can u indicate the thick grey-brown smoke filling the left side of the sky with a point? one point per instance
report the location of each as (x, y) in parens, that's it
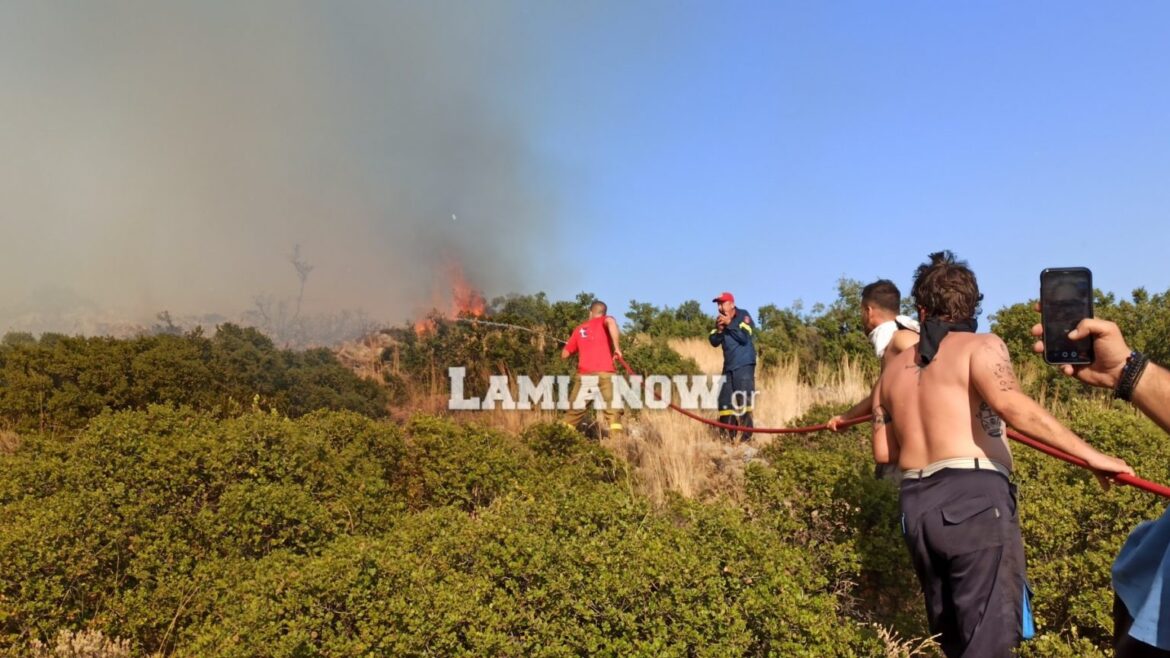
(170, 156)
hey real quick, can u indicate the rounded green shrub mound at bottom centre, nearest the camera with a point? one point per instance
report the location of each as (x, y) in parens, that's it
(590, 573)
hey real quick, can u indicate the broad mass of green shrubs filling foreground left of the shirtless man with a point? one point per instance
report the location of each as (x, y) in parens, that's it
(335, 534)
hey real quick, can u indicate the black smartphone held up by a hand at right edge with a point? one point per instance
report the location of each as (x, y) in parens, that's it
(1066, 298)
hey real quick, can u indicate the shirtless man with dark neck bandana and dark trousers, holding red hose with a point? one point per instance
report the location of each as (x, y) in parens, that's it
(939, 413)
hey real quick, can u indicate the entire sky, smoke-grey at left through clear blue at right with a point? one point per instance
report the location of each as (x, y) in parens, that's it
(171, 156)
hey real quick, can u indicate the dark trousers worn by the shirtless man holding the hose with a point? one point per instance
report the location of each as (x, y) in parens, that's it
(965, 540)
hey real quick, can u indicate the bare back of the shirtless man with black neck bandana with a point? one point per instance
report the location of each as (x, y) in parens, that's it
(937, 413)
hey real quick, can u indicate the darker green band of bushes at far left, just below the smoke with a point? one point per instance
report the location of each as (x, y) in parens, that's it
(59, 383)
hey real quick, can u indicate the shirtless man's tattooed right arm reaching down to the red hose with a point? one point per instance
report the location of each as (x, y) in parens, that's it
(995, 381)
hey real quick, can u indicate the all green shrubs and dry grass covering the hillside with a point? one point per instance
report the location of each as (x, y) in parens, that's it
(267, 509)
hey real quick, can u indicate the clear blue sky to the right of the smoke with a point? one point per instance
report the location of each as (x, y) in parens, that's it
(773, 148)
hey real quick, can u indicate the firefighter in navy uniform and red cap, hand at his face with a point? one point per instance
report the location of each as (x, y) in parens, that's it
(734, 331)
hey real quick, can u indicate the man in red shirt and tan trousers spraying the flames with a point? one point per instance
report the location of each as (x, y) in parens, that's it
(596, 344)
